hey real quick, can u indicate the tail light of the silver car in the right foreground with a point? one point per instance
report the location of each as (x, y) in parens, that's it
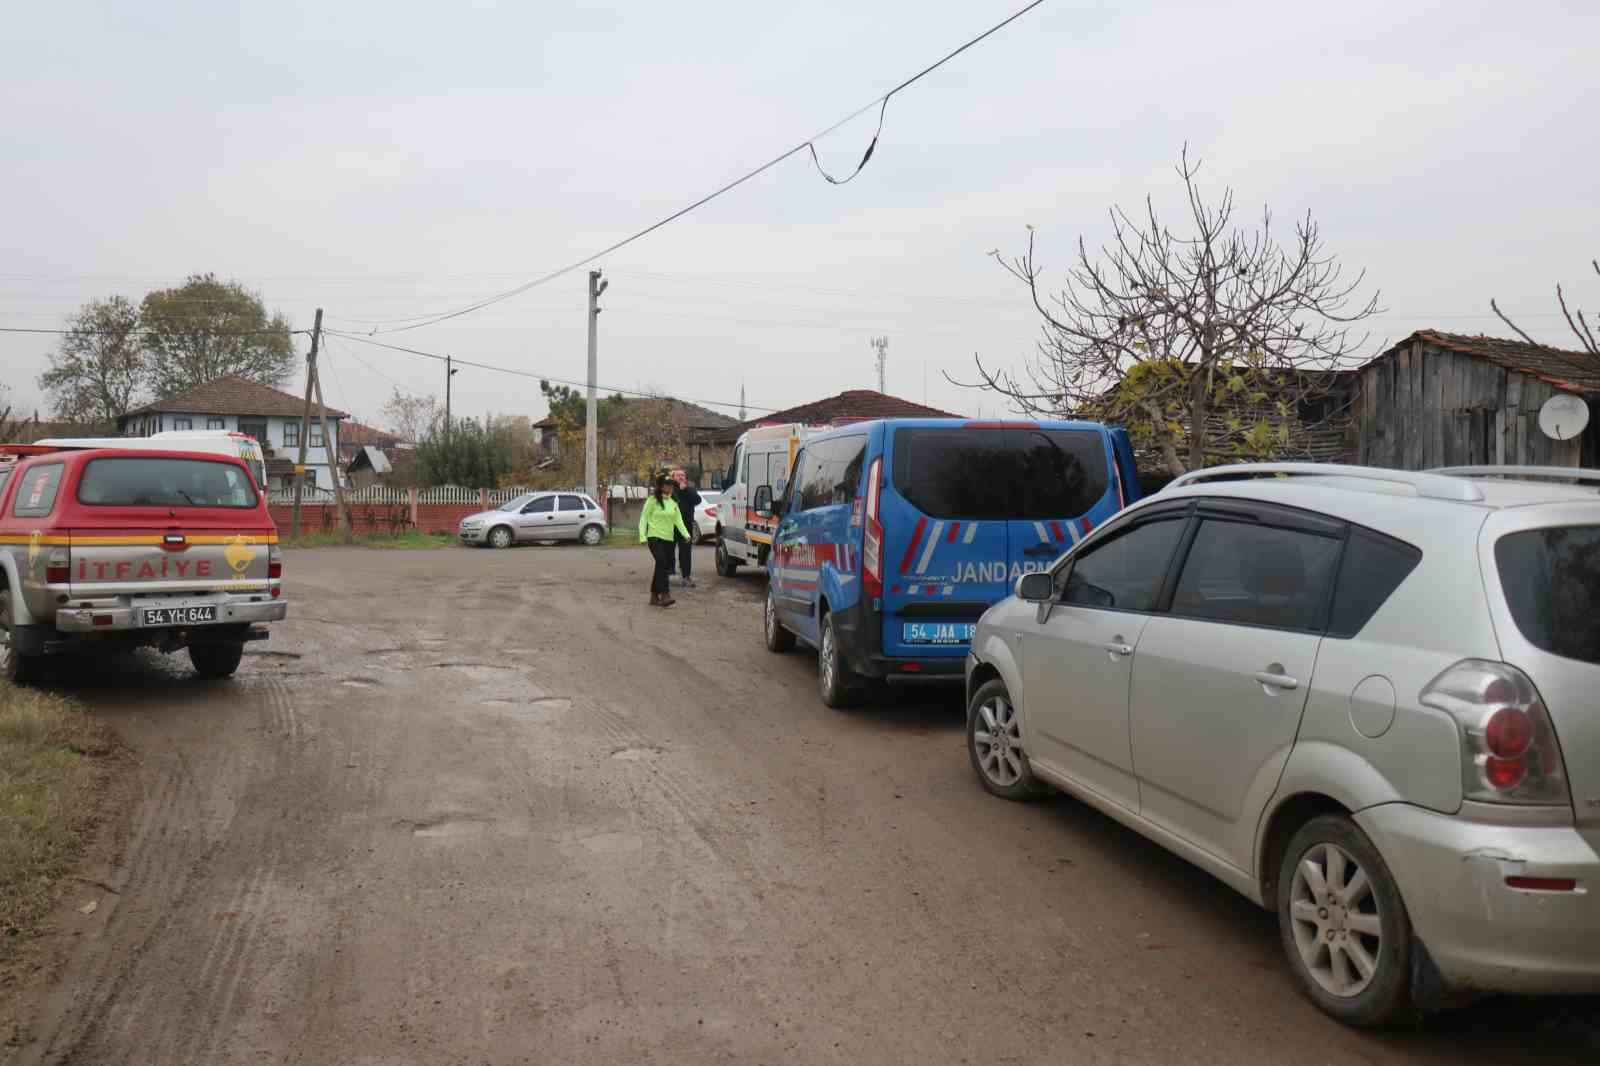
(1508, 745)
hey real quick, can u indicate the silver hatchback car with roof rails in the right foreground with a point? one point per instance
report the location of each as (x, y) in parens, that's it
(1364, 699)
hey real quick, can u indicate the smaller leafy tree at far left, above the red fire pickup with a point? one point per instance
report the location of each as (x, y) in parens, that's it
(102, 367)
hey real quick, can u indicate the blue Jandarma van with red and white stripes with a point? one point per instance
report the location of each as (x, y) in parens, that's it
(895, 535)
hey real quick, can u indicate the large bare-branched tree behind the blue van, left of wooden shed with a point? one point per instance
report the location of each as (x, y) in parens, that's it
(1206, 345)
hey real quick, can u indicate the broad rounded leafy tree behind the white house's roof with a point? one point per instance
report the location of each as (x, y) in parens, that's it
(210, 329)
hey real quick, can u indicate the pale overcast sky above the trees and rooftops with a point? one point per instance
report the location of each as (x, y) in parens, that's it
(386, 161)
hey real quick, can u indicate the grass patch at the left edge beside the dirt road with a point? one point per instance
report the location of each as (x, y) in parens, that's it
(52, 766)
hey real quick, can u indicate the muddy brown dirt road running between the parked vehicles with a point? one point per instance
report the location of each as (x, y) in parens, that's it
(490, 808)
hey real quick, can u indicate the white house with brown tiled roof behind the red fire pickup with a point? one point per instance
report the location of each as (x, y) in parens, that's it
(236, 404)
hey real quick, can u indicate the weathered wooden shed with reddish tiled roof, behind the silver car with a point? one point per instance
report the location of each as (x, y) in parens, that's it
(1444, 399)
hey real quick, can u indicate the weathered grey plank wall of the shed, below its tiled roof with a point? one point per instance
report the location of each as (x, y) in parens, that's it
(1425, 407)
